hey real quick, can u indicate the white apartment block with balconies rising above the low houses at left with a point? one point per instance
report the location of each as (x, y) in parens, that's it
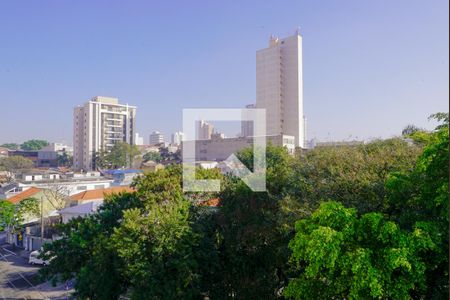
(98, 125)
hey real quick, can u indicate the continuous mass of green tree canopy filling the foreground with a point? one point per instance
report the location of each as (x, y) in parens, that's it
(349, 222)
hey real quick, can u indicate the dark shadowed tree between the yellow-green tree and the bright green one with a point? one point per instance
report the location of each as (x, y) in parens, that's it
(253, 243)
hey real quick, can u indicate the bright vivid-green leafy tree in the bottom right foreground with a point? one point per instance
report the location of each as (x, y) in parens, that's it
(339, 255)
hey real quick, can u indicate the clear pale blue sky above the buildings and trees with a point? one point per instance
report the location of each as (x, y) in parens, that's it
(370, 67)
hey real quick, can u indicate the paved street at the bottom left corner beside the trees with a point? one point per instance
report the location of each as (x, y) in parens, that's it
(19, 280)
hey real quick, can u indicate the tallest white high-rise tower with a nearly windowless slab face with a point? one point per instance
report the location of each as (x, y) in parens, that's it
(279, 87)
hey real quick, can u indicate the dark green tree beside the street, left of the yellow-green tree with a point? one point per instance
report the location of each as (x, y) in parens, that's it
(84, 251)
